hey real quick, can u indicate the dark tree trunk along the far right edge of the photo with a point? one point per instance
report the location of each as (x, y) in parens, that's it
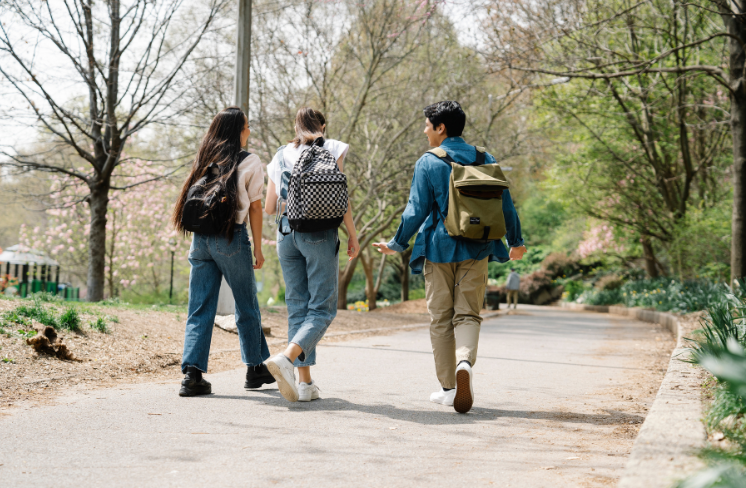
(737, 30)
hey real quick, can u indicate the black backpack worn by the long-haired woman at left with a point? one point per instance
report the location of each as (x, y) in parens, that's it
(206, 212)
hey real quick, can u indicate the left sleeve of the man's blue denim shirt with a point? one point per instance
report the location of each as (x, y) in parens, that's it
(419, 207)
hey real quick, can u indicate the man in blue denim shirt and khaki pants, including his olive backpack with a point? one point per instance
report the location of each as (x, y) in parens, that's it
(480, 213)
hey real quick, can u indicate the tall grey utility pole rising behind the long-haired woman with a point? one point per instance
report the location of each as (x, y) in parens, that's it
(226, 305)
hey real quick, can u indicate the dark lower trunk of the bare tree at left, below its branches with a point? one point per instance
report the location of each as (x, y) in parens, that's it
(98, 202)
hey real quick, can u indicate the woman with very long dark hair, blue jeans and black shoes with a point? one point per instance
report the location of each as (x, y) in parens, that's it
(238, 176)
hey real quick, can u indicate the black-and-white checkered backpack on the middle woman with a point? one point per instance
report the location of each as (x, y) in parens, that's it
(317, 191)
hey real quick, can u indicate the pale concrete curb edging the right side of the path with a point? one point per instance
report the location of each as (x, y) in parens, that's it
(665, 448)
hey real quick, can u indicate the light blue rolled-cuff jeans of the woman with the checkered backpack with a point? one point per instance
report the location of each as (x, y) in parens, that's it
(310, 264)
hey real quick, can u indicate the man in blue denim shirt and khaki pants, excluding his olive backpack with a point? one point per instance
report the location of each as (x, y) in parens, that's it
(455, 269)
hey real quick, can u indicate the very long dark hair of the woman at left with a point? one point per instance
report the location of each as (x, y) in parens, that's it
(221, 146)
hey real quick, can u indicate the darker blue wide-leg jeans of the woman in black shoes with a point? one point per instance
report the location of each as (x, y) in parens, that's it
(212, 257)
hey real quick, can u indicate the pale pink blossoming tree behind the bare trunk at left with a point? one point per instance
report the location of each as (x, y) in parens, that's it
(140, 242)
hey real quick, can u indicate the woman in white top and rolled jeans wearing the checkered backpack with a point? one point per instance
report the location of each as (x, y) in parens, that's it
(309, 258)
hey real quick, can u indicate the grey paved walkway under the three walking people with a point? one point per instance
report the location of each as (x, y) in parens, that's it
(543, 417)
